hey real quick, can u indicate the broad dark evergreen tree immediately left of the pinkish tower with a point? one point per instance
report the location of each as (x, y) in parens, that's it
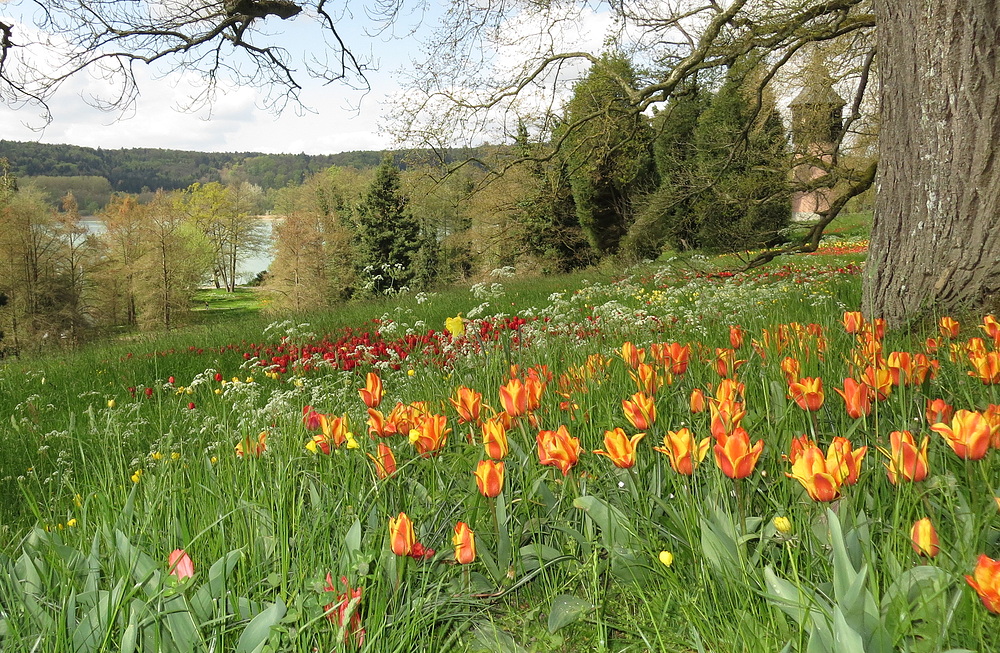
(742, 164)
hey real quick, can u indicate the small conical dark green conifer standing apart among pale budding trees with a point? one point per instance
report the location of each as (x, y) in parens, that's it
(388, 236)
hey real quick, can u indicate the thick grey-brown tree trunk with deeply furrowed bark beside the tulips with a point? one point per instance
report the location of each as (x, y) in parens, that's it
(935, 245)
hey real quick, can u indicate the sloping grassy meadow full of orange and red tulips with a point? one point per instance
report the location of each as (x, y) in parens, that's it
(669, 458)
